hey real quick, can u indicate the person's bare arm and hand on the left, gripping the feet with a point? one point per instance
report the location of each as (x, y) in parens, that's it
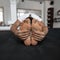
(20, 33)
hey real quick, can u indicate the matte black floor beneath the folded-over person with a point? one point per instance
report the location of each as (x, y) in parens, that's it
(12, 48)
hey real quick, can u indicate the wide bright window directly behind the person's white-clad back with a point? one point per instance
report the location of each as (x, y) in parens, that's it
(21, 12)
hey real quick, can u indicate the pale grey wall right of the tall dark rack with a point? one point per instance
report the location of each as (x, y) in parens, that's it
(56, 8)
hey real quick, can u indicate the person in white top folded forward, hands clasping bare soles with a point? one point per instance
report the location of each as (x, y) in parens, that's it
(30, 28)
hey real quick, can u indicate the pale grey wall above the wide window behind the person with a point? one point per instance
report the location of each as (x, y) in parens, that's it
(35, 5)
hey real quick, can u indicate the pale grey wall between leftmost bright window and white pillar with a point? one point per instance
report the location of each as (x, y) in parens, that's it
(6, 5)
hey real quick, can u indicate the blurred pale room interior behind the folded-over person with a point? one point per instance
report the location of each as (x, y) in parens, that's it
(48, 10)
